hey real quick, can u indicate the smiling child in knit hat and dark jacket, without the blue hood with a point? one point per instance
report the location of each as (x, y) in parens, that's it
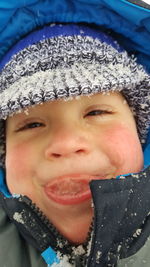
(74, 111)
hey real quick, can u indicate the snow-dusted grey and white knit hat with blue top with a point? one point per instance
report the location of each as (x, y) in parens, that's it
(64, 61)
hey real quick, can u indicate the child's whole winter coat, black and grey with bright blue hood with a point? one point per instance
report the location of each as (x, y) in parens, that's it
(121, 225)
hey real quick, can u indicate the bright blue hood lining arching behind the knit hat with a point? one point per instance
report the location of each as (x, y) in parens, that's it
(129, 21)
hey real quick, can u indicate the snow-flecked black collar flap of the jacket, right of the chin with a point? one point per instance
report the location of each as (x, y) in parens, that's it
(122, 223)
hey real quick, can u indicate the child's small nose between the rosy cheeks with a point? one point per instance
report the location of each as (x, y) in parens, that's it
(66, 142)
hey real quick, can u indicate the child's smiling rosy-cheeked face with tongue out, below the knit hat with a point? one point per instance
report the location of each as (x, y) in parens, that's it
(55, 150)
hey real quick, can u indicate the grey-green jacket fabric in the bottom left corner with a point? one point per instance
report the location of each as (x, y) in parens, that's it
(14, 251)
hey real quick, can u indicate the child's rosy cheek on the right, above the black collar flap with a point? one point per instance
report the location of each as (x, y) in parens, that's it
(124, 149)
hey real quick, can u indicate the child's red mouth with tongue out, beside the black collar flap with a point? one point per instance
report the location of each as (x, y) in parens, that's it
(69, 191)
